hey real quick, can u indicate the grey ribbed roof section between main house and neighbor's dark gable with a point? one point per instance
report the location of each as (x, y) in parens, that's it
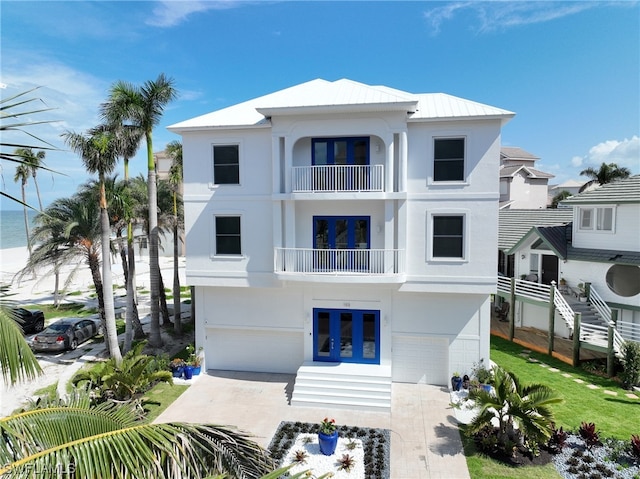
(514, 224)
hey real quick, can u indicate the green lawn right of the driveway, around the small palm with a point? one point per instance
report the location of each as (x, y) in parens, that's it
(580, 404)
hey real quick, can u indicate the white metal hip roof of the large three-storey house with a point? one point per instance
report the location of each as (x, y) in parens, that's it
(322, 96)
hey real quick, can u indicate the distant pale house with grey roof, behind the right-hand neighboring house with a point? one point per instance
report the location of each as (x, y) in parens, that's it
(521, 185)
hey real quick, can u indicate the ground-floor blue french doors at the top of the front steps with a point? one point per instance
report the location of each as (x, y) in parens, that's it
(346, 335)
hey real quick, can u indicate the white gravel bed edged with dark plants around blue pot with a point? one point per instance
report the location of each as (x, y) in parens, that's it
(375, 447)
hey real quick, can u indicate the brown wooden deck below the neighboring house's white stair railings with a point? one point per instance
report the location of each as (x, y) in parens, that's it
(536, 340)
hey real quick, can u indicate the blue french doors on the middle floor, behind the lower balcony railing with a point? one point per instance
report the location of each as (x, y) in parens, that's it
(337, 239)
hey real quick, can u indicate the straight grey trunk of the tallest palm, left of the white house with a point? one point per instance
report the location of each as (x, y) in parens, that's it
(155, 339)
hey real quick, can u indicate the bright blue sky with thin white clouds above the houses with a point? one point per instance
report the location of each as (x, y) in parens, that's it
(570, 70)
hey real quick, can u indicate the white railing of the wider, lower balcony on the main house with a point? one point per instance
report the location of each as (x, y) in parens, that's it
(379, 265)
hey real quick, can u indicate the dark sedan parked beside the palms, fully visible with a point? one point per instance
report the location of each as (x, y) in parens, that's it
(65, 334)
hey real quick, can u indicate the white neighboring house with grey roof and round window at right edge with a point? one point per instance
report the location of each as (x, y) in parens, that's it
(599, 247)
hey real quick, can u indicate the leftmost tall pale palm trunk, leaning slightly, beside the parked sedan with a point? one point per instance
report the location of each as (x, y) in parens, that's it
(111, 334)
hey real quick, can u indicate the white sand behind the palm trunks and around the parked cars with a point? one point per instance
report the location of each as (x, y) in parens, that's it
(39, 290)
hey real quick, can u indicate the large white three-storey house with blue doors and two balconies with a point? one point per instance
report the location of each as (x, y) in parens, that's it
(345, 233)
